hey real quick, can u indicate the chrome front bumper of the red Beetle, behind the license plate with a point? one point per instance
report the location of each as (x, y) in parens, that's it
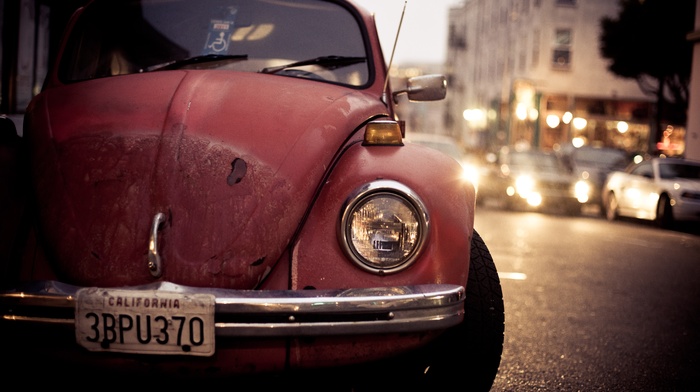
(280, 313)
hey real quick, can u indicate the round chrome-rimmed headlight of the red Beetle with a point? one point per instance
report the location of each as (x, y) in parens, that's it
(383, 227)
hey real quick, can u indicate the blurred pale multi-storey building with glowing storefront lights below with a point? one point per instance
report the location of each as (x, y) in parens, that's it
(529, 72)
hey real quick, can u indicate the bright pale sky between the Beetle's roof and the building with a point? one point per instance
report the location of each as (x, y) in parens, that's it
(423, 36)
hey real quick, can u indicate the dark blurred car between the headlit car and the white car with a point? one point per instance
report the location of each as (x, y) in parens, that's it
(592, 164)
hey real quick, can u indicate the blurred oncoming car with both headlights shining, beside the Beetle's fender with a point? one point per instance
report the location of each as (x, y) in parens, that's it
(534, 179)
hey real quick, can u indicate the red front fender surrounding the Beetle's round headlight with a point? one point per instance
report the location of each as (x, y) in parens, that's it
(448, 198)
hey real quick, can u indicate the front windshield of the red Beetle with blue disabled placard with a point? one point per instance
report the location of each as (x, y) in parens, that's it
(302, 38)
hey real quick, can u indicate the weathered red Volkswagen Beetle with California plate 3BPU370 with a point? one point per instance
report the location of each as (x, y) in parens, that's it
(221, 188)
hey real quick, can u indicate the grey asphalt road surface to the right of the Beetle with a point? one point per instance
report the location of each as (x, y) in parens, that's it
(593, 305)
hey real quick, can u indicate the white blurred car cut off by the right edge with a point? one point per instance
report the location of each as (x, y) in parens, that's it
(663, 190)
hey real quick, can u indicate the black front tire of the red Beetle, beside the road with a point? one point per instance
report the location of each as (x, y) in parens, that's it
(468, 354)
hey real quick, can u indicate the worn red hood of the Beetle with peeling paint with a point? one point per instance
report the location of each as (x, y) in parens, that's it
(231, 159)
